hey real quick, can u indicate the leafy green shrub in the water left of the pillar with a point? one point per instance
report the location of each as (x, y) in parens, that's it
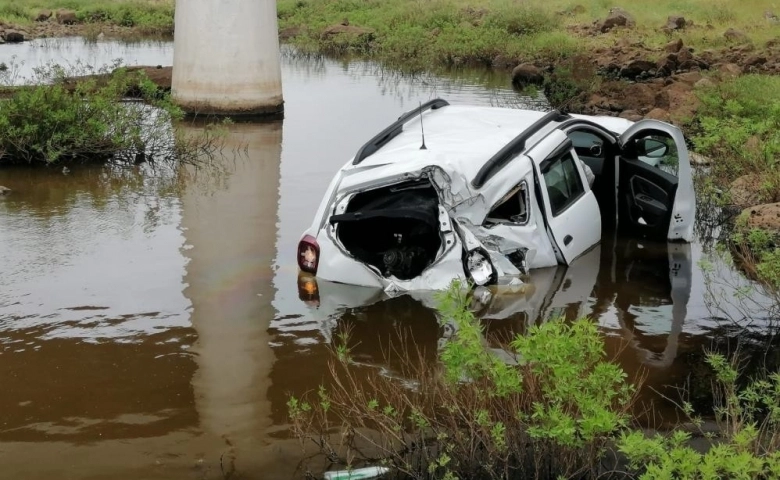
(54, 123)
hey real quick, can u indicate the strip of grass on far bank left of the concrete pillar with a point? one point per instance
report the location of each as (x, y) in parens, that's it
(145, 16)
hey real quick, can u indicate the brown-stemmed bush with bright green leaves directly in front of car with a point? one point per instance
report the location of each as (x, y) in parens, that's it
(551, 412)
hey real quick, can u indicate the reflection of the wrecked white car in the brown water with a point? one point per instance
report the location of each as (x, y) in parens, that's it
(638, 292)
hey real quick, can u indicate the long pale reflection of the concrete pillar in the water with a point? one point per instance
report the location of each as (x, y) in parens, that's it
(229, 221)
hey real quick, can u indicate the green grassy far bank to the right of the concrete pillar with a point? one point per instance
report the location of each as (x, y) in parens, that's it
(425, 34)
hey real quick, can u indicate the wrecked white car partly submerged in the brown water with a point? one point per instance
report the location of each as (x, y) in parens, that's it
(483, 194)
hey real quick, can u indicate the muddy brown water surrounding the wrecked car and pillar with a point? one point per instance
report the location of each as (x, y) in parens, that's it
(151, 324)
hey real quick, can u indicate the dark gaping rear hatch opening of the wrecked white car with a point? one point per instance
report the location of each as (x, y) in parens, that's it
(394, 229)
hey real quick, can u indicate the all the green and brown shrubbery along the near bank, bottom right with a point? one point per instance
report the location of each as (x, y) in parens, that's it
(554, 407)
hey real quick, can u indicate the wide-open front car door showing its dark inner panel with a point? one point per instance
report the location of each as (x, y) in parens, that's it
(655, 183)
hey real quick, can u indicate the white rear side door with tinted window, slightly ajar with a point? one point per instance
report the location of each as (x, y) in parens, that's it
(571, 211)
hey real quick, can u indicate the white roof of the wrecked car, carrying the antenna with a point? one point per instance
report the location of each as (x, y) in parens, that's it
(463, 139)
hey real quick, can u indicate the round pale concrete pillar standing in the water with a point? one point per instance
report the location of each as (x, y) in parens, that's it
(226, 57)
